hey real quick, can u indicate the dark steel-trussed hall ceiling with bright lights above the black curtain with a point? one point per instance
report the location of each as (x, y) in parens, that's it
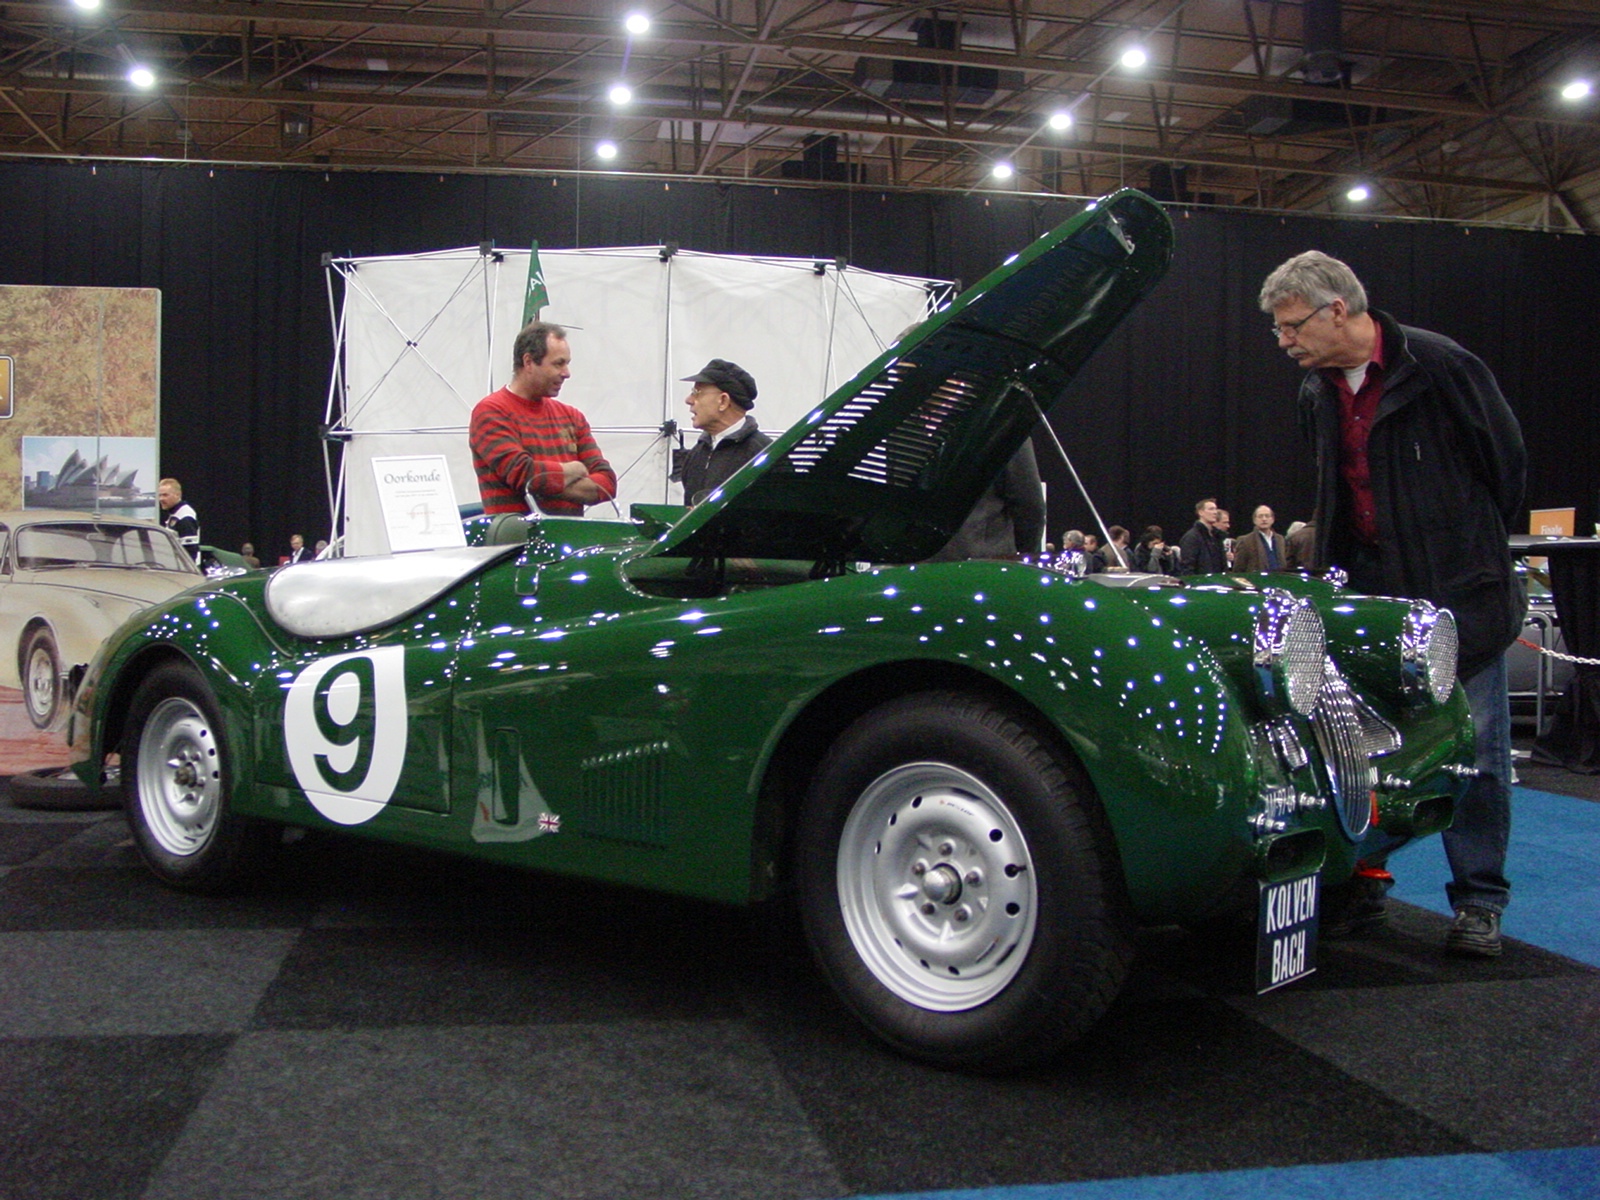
(1447, 110)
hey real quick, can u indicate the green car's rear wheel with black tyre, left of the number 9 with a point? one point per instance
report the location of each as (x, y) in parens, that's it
(177, 780)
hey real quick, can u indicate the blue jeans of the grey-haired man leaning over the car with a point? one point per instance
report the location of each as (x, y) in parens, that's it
(1476, 844)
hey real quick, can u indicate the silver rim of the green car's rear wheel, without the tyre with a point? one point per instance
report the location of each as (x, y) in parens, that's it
(180, 777)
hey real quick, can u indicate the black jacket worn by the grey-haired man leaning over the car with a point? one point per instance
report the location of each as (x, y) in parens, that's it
(1447, 473)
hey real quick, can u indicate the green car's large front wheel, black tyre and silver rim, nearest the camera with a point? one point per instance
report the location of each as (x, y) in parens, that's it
(959, 886)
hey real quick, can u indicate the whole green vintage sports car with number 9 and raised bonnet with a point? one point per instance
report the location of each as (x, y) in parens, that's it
(977, 780)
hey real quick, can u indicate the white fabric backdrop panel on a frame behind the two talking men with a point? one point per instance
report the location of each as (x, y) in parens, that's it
(428, 337)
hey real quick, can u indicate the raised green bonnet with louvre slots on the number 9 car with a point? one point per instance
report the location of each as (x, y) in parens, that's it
(890, 465)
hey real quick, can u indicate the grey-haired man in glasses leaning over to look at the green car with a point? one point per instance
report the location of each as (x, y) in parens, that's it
(1420, 476)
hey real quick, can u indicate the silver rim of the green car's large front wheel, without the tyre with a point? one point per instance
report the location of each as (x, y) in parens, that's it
(937, 887)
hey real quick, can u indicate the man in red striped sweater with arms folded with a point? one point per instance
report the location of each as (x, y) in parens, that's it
(529, 446)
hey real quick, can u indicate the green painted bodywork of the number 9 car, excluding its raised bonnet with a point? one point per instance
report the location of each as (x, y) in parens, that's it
(647, 726)
